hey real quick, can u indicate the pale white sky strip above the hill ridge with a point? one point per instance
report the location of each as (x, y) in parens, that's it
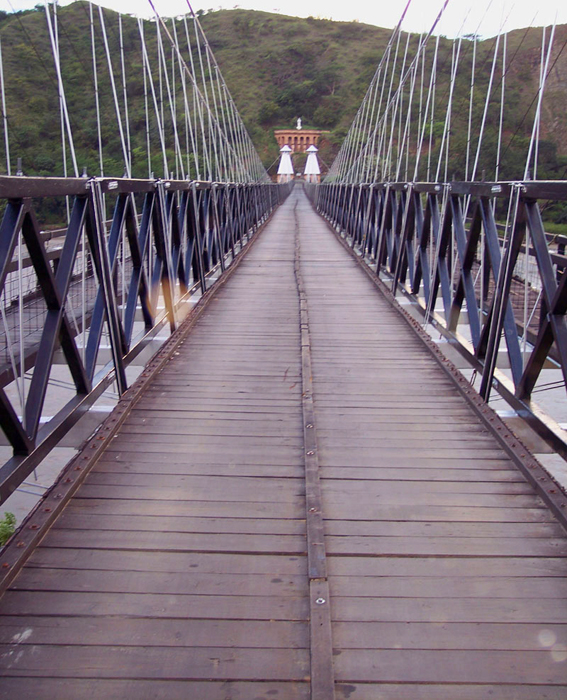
(485, 17)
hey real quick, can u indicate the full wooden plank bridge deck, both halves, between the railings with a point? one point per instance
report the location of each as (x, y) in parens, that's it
(179, 569)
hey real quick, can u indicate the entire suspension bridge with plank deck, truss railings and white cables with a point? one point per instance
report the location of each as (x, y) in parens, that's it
(309, 490)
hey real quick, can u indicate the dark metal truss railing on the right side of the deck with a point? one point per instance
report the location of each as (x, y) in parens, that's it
(476, 261)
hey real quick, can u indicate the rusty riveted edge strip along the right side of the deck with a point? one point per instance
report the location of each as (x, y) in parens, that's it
(545, 486)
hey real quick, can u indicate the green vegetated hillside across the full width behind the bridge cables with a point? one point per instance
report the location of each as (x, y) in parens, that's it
(278, 68)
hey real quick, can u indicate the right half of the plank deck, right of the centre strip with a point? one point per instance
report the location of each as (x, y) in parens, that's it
(439, 588)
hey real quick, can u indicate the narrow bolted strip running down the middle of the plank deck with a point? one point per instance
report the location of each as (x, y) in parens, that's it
(321, 643)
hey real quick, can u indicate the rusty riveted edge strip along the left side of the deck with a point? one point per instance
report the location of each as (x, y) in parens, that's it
(39, 521)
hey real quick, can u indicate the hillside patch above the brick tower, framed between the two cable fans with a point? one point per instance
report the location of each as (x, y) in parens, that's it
(280, 68)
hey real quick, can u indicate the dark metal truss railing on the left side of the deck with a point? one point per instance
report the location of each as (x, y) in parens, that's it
(133, 253)
